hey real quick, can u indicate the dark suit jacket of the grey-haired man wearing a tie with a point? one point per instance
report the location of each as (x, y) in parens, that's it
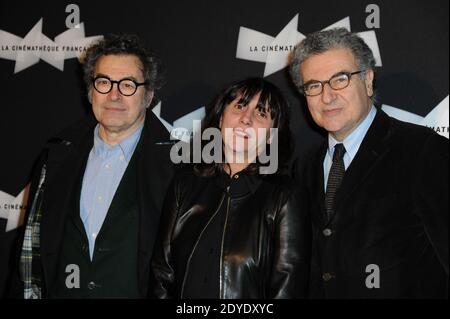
(391, 211)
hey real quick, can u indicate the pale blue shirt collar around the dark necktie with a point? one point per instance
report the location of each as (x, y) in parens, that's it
(354, 140)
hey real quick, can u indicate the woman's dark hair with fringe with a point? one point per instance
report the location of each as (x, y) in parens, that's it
(276, 105)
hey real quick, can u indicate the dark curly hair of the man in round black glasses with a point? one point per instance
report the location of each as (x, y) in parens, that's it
(124, 44)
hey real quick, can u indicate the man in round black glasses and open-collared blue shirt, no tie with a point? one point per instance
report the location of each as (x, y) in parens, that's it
(99, 185)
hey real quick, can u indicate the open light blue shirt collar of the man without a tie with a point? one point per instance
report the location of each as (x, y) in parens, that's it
(125, 148)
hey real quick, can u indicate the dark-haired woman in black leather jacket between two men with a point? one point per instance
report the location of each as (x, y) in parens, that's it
(230, 230)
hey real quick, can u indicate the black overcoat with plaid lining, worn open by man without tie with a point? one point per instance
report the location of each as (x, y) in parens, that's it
(67, 154)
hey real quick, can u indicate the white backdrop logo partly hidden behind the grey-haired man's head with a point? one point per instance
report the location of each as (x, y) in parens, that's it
(274, 51)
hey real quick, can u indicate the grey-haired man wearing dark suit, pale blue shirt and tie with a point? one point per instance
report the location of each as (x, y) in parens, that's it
(378, 188)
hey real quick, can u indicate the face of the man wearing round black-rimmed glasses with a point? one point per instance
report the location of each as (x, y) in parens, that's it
(115, 112)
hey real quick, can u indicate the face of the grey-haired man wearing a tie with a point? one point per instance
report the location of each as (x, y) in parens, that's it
(337, 111)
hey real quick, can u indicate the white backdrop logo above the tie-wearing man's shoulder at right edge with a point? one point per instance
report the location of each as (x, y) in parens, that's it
(437, 119)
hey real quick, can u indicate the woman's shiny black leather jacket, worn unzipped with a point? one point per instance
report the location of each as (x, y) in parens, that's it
(265, 246)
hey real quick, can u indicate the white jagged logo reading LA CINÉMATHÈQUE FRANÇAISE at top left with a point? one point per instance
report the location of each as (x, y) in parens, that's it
(36, 46)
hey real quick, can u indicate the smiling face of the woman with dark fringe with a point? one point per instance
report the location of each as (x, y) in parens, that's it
(245, 129)
